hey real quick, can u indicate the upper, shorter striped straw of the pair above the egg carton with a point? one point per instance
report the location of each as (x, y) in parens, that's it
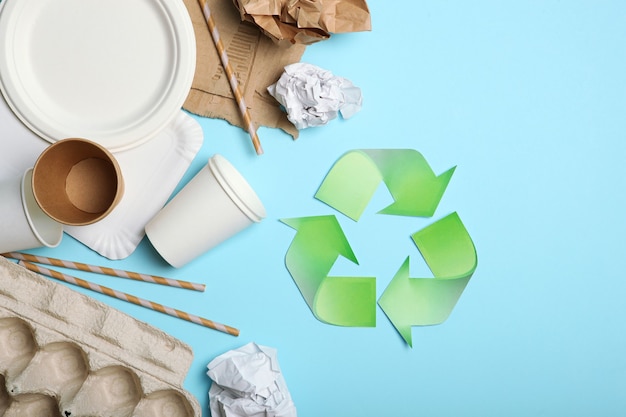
(106, 271)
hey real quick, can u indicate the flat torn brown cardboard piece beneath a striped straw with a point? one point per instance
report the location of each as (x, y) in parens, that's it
(255, 58)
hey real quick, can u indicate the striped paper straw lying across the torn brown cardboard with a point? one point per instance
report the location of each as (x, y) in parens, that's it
(234, 84)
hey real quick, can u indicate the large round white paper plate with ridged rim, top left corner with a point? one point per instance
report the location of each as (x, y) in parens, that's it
(113, 71)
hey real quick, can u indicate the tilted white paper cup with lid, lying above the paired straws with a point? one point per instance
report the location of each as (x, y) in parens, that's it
(216, 204)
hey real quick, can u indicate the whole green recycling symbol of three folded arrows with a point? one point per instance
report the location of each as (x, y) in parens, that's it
(445, 245)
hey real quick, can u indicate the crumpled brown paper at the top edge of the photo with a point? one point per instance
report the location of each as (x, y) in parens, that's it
(305, 21)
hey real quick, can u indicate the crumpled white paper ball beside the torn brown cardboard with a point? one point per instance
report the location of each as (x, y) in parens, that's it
(312, 96)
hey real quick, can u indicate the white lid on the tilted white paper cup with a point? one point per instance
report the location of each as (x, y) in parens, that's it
(237, 188)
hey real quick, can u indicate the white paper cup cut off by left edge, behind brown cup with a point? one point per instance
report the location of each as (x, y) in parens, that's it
(23, 225)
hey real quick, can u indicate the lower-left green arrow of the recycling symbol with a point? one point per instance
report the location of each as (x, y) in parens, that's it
(344, 301)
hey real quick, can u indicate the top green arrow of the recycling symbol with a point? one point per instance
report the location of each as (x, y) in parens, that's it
(355, 177)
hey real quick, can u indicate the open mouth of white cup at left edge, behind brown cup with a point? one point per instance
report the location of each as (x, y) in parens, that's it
(29, 204)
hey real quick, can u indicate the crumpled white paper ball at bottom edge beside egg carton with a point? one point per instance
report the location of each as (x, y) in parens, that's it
(248, 382)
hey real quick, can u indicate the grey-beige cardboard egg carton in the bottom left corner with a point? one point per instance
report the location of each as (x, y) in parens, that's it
(65, 354)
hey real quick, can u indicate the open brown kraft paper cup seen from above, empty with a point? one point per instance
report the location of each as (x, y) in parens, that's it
(77, 181)
